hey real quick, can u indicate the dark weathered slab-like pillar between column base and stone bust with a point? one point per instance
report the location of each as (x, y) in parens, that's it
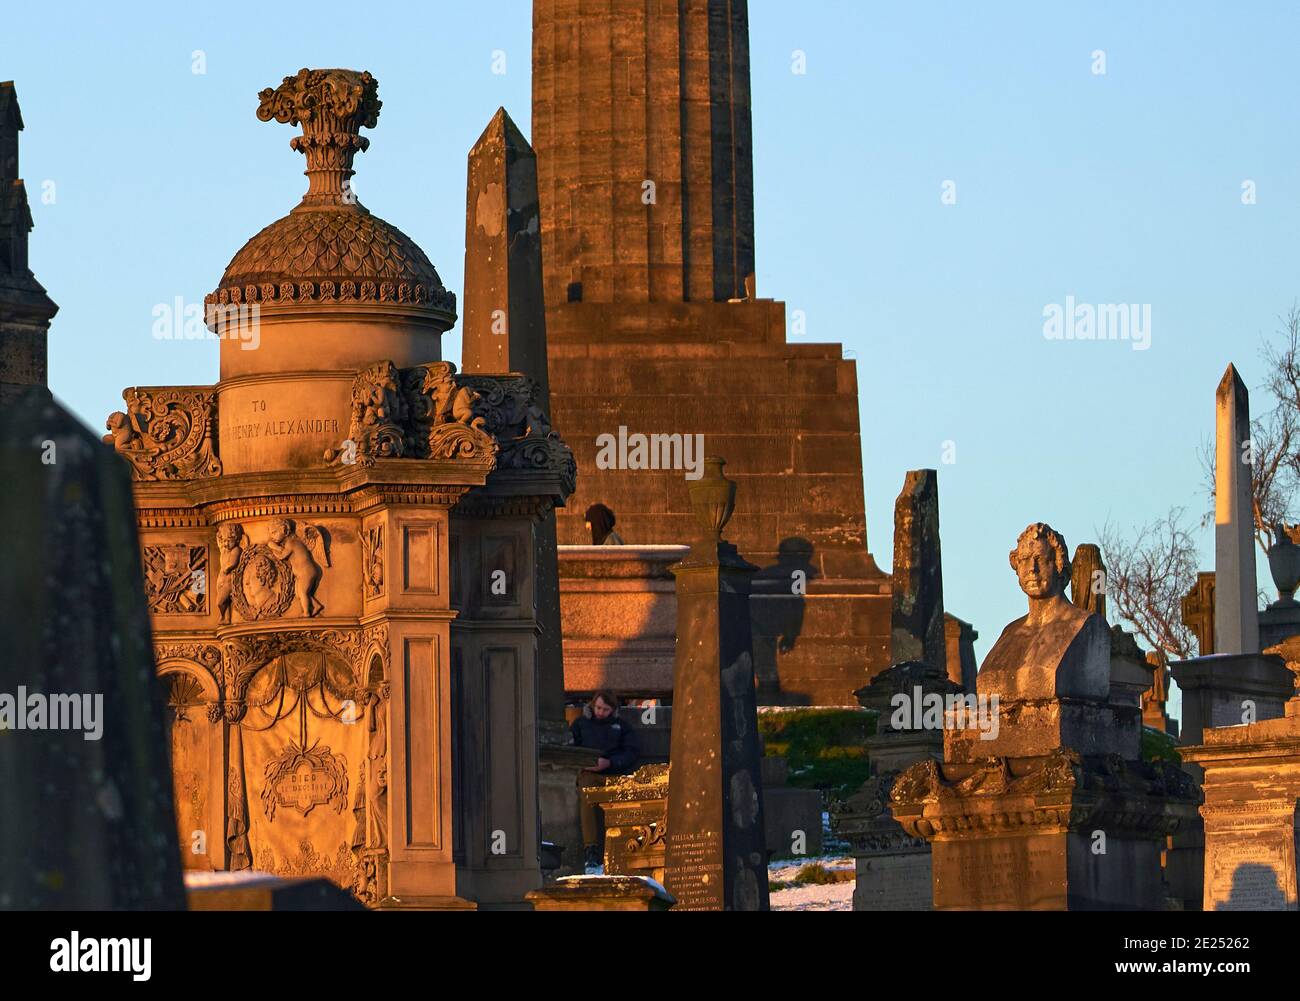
(917, 621)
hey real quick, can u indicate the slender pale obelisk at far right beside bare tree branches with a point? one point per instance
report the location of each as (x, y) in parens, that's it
(1237, 625)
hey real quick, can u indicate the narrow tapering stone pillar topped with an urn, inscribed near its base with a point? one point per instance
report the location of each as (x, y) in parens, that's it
(716, 857)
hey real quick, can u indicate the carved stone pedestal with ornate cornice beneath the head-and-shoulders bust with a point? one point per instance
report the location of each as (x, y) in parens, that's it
(1051, 833)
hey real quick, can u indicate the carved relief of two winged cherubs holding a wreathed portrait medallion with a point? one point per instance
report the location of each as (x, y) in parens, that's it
(268, 580)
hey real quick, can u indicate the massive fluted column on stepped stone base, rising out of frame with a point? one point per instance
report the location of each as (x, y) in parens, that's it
(642, 124)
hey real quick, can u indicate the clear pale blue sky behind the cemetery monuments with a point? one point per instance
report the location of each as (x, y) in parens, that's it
(1124, 188)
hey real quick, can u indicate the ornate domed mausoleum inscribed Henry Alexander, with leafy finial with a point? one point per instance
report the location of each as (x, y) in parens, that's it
(339, 544)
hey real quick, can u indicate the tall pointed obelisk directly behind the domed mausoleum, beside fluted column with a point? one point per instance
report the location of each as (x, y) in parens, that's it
(505, 332)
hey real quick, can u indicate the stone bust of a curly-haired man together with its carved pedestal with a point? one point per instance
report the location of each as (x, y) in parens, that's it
(1054, 808)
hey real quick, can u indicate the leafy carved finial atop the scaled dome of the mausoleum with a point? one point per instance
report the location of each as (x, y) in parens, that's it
(332, 106)
